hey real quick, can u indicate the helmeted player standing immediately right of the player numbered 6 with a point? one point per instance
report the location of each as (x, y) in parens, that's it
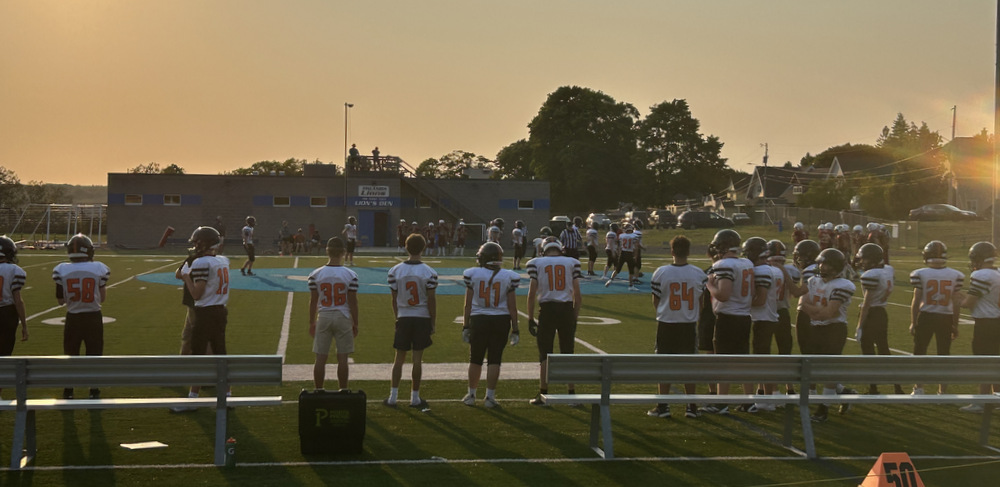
(768, 283)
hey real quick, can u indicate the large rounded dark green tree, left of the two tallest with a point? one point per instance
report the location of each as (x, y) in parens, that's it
(583, 142)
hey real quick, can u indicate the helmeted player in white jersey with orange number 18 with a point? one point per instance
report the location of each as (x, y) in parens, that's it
(555, 285)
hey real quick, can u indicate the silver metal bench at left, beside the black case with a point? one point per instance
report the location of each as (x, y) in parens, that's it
(24, 374)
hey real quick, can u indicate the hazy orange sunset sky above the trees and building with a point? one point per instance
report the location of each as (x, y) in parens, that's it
(91, 87)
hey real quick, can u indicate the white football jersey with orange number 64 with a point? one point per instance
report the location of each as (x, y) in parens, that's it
(679, 288)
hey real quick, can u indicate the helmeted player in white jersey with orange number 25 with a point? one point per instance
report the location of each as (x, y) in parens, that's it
(933, 312)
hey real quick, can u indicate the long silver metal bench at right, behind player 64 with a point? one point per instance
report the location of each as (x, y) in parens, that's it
(802, 370)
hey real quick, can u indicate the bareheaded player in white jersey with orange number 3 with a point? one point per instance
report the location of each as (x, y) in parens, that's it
(414, 304)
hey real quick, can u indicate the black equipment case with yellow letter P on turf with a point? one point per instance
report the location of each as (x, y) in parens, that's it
(332, 421)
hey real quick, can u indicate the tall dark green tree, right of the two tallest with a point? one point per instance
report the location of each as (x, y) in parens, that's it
(677, 159)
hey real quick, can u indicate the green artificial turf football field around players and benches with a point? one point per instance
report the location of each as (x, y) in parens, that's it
(453, 444)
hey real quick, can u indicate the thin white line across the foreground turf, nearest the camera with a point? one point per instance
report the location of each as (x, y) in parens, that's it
(439, 460)
